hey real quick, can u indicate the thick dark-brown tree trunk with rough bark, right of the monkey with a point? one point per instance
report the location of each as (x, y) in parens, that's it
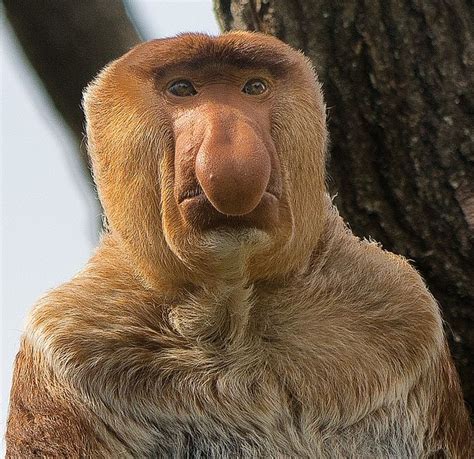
(398, 80)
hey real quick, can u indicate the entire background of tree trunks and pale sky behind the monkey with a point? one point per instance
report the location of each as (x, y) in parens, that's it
(398, 79)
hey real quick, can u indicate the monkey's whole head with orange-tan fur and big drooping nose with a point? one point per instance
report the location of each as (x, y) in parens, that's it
(200, 144)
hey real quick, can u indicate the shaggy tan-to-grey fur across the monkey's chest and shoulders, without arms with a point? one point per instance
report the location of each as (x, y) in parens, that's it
(243, 372)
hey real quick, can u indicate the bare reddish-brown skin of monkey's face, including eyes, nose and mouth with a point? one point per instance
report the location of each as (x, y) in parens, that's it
(226, 170)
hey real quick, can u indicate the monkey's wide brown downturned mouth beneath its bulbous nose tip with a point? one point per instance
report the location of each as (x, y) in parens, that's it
(200, 214)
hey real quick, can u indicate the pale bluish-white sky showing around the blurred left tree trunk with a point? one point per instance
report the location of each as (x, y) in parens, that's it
(47, 210)
